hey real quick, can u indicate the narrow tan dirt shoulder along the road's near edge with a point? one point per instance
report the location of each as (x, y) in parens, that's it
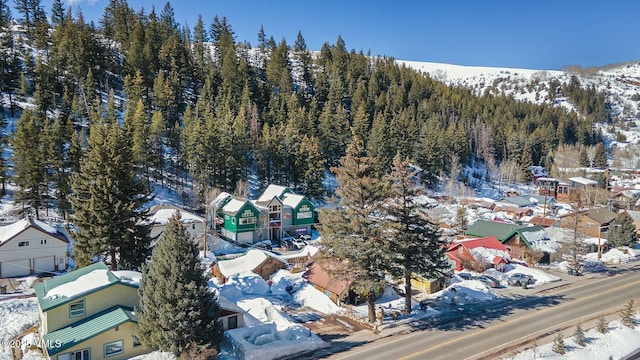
(540, 334)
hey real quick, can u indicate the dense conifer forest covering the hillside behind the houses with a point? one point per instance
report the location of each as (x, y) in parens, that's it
(198, 109)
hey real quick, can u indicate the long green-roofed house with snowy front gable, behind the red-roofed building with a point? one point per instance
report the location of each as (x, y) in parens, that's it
(528, 243)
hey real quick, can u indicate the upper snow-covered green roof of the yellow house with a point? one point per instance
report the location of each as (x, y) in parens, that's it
(75, 284)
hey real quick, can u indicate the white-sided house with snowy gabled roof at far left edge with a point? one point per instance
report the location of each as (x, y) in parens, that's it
(29, 247)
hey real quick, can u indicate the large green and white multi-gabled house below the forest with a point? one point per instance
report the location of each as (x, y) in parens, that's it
(277, 213)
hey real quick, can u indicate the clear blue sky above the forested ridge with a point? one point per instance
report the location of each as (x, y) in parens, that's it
(535, 34)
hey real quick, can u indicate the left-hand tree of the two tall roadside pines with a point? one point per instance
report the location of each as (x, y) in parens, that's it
(352, 239)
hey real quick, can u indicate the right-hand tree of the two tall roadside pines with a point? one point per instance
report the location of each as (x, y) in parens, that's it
(415, 246)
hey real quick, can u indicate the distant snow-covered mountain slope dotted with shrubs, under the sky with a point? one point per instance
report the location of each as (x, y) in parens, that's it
(620, 83)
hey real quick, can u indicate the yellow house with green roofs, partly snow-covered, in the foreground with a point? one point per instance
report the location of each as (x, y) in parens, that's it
(88, 314)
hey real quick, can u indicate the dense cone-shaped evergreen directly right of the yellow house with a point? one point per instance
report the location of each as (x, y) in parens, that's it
(177, 307)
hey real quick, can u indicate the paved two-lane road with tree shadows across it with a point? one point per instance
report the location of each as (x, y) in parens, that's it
(483, 333)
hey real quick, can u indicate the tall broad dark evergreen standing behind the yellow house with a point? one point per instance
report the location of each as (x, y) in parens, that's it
(107, 200)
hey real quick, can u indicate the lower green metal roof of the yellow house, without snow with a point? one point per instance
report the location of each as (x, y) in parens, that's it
(76, 333)
